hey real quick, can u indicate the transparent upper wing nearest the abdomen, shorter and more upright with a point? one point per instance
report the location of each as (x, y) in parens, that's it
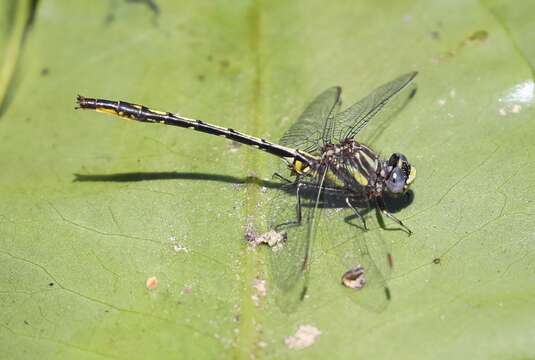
(307, 132)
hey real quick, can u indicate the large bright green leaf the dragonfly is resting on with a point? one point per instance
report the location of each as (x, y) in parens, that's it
(93, 208)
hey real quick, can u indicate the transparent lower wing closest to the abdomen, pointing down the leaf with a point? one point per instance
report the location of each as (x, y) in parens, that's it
(290, 265)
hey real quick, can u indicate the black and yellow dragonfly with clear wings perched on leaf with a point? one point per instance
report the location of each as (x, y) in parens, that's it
(328, 169)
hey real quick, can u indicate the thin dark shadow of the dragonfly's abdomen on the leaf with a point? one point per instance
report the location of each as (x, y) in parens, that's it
(173, 175)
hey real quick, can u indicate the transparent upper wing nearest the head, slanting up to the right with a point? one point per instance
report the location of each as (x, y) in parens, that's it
(349, 122)
